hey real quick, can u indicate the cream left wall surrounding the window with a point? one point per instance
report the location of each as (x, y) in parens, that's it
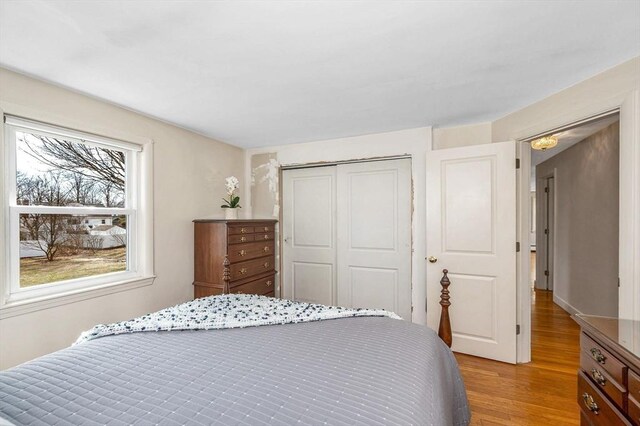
(189, 177)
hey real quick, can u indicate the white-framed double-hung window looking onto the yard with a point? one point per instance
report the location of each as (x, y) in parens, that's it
(73, 219)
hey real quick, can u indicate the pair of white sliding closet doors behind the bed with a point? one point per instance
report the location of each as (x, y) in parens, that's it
(347, 235)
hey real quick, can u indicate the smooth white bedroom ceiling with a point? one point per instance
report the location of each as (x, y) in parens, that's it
(259, 73)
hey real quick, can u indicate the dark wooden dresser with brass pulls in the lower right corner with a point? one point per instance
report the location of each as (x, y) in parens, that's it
(609, 375)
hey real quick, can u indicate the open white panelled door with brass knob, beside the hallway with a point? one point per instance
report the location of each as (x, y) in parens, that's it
(471, 231)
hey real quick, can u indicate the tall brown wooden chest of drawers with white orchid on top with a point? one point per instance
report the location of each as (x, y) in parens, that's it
(234, 256)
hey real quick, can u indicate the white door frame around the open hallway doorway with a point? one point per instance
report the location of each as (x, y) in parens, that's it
(629, 225)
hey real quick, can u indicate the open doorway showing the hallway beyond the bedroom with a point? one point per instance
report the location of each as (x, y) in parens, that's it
(574, 235)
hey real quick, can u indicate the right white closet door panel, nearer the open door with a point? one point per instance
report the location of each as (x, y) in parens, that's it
(374, 235)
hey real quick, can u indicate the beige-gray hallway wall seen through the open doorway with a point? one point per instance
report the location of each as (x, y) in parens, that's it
(585, 269)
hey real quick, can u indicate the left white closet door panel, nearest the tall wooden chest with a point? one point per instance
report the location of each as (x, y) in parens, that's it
(308, 221)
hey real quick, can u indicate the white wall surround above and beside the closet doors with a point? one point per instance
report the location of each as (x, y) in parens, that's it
(414, 142)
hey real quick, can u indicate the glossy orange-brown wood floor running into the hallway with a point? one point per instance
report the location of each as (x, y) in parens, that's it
(542, 392)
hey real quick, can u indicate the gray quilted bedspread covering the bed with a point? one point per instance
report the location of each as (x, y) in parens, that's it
(352, 371)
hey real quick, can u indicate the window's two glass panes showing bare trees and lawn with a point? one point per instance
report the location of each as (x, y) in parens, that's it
(54, 171)
